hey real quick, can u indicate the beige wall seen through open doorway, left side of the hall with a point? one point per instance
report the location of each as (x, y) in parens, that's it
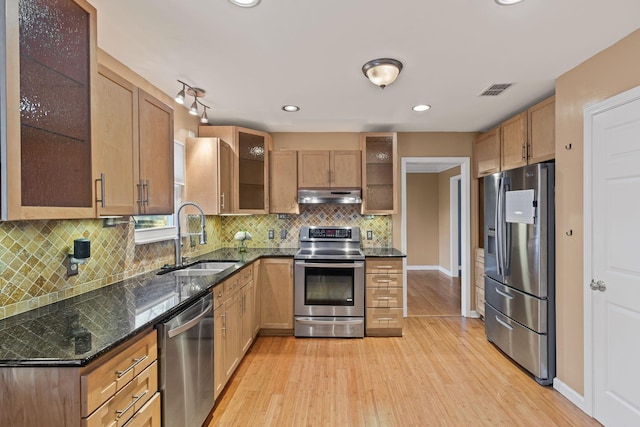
(422, 219)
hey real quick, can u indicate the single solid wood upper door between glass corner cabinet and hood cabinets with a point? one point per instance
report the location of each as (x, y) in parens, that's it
(283, 194)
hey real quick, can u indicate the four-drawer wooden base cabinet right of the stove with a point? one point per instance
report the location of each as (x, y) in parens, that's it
(384, 313)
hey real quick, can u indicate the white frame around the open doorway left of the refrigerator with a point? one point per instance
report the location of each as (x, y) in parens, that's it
(465, 229)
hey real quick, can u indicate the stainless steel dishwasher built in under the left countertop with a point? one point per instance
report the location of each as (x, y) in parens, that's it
(185, 343)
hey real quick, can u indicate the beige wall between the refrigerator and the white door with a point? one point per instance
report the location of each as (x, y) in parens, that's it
(608, 73)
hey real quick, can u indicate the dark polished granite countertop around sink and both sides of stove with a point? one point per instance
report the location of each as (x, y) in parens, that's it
(57, 334)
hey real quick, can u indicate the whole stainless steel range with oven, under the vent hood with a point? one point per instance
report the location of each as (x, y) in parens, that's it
(329, 283)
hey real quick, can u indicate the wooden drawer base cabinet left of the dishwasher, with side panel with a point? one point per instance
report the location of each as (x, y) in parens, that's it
(120, 388)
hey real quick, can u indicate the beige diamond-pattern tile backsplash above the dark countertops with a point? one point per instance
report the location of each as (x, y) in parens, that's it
(32, 253)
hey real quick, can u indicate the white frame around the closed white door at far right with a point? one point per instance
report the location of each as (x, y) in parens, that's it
(589, 115)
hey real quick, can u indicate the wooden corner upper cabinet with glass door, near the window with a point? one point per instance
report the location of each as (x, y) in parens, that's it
(251, 148)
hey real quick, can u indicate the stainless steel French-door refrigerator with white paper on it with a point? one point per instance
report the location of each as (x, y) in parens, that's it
(519, 244)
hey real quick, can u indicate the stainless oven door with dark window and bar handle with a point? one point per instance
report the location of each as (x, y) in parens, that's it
(329, 288)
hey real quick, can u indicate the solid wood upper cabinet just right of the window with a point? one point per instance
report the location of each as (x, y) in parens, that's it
(209, 164)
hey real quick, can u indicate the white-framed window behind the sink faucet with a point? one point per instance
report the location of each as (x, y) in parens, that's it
(156, 228)
